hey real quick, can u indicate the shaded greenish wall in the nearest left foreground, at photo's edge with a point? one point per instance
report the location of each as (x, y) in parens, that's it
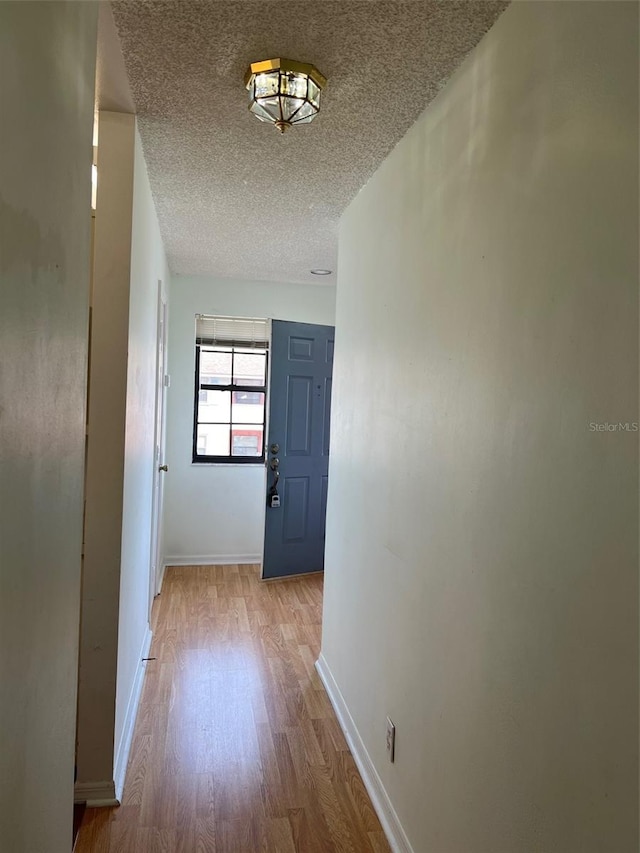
(47, 71)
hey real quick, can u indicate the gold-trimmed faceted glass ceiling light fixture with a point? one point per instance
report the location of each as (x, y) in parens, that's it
(284, 92)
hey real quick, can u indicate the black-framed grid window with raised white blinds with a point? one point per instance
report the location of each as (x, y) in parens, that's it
(230, 390)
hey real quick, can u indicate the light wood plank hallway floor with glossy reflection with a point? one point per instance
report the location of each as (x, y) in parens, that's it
(236, 746)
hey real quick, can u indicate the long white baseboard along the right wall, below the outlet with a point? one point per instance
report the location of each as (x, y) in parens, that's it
(396, 835)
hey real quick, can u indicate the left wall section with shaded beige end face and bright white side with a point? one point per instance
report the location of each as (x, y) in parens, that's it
(129, 261)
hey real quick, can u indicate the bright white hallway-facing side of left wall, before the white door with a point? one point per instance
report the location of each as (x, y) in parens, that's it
(148, 267)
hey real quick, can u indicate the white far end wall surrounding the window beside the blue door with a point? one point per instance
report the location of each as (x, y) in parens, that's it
(217, 512)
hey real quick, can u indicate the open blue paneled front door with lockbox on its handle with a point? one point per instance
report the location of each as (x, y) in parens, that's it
(297, 448)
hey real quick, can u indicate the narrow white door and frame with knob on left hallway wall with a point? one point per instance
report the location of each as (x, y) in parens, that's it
(156, 567)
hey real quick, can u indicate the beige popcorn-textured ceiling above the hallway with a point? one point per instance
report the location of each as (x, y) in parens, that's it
(237, 199)
